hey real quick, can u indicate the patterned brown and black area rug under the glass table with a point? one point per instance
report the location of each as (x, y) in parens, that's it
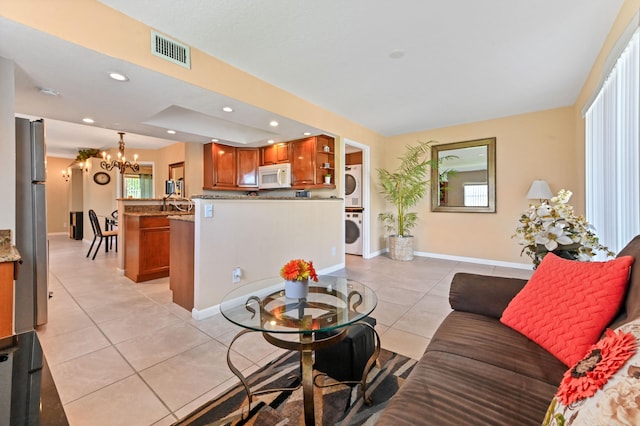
(336, 405)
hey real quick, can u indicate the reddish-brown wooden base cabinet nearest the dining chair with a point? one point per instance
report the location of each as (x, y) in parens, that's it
(146, 247)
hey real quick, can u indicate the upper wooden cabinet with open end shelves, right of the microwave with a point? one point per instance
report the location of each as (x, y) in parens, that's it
(311, 159)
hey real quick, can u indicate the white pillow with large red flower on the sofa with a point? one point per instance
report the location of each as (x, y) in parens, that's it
(604, 387)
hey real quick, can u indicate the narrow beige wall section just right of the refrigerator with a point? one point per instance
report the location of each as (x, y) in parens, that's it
(57, 193)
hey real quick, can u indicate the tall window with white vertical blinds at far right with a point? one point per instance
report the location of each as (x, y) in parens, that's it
(613, 152)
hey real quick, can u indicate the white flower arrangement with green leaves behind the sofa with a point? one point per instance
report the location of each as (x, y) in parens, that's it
(555, 228)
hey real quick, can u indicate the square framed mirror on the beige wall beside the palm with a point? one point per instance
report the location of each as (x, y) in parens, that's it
(465, 177)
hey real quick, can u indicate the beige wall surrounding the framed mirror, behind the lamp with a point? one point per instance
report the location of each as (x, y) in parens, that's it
(529, 146)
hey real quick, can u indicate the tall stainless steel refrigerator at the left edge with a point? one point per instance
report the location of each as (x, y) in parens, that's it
(31, 290)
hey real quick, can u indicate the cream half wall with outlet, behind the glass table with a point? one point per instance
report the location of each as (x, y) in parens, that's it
(306, 229)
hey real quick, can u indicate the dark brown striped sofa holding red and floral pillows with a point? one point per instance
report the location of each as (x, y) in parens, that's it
(477, 371)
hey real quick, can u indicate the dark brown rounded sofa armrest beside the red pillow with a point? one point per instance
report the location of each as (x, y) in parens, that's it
(483, 294)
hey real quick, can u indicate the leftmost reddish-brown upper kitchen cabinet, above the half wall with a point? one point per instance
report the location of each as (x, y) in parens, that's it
(219, 166)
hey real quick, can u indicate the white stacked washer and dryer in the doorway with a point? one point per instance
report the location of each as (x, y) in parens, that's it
(354, 209)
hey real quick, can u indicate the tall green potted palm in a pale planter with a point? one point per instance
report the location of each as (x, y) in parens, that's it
(404, 188)
